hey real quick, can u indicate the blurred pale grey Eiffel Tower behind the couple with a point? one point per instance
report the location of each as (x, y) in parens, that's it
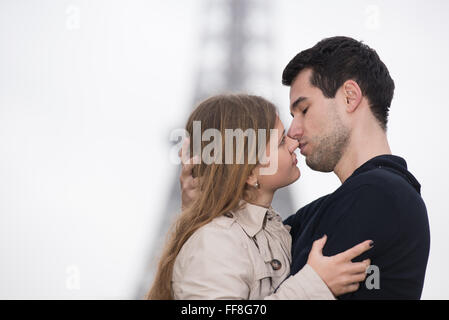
(234, 56)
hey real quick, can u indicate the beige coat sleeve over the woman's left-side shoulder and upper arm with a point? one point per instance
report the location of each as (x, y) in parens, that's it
(213, 263)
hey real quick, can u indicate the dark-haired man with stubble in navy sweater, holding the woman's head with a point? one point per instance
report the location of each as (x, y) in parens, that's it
(340, 95)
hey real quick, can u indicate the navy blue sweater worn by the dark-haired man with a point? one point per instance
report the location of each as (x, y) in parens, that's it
(380, 201)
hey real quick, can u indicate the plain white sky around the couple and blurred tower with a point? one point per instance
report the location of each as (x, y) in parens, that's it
(90, 90)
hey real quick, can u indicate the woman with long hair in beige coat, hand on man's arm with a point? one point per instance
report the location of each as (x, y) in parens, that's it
(229, 243)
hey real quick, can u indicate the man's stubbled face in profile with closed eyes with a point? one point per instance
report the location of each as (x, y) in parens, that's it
(317, 124)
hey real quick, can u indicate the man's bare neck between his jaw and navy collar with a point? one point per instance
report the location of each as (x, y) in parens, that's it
(363, 146)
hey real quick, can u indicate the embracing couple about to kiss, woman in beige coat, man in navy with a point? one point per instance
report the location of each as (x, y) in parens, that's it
(229, 243)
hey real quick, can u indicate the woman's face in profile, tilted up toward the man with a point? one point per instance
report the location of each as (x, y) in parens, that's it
(284, 161)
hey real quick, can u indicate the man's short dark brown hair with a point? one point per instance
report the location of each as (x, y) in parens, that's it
(337, 59)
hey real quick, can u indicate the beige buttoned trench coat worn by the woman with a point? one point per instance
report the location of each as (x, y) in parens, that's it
(245, 254)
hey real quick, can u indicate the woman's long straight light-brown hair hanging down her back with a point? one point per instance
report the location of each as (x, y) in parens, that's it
(221, 186)
